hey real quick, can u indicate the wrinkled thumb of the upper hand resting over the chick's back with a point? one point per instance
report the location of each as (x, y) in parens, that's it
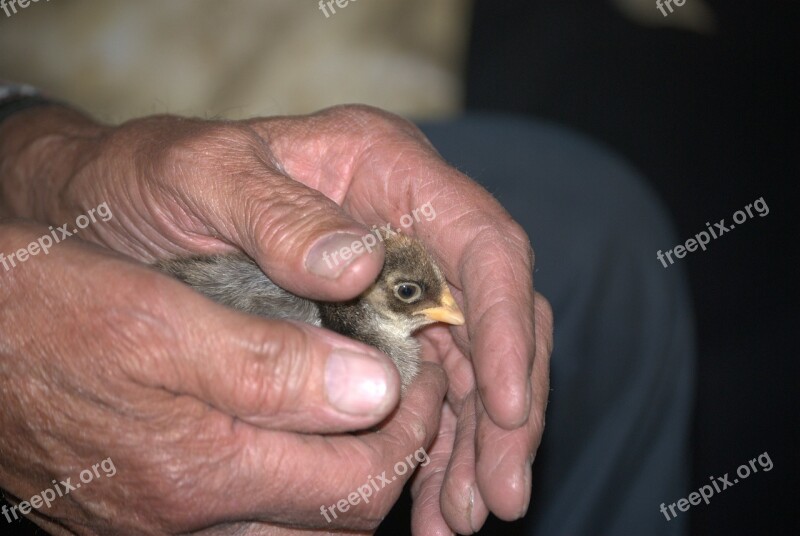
(302, 239)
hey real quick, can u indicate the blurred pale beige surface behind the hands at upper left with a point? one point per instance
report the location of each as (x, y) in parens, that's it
(122, 58)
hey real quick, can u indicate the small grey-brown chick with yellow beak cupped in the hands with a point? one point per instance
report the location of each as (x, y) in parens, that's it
(410, 293)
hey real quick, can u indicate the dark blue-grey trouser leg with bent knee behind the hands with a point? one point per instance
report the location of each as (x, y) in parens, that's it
(616, 444)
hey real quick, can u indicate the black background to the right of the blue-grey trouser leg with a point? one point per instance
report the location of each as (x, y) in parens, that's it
(711, 120)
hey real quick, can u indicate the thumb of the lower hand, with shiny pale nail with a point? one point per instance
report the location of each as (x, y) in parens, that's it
(273, 374)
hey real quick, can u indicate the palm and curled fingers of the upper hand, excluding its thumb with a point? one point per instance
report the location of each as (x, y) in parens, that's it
(380, 168)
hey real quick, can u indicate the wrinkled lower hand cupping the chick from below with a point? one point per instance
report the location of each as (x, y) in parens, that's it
(197, 408)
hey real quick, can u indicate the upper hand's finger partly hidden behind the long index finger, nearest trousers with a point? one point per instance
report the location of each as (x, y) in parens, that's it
(504, 457)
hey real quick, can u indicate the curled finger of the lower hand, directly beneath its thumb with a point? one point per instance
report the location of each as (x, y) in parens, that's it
(305, 480)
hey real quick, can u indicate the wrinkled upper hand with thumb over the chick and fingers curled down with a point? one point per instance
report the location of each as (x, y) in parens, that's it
(288, 190)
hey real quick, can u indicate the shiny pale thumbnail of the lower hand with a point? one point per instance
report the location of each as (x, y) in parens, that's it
(355, 383)
